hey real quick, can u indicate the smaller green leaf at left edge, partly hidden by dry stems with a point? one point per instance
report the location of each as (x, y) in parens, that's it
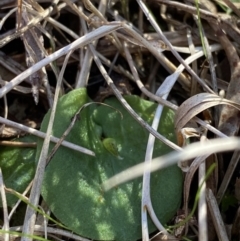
(18, 167)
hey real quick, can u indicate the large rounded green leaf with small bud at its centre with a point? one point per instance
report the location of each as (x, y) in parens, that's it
(72, 183)
